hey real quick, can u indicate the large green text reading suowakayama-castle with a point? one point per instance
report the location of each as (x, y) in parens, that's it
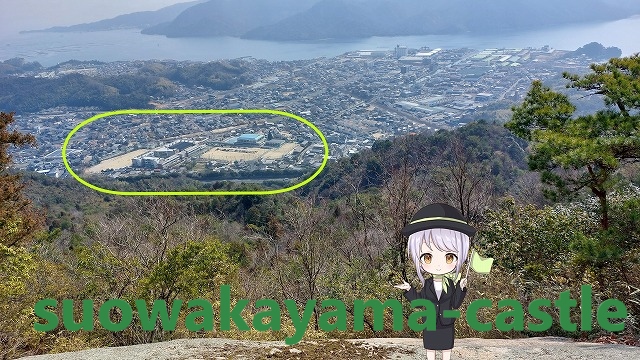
(333, 314)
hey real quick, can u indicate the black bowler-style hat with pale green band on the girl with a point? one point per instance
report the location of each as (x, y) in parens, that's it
(438, 216)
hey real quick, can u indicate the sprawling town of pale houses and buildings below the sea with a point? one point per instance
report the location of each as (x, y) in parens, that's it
(354, 99)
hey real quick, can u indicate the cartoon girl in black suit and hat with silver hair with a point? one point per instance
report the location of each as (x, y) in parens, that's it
(439, 241)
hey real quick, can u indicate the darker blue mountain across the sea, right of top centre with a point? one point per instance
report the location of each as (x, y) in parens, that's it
(341, 19)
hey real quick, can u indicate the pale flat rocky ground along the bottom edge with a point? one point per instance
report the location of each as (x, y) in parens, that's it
(387, 348)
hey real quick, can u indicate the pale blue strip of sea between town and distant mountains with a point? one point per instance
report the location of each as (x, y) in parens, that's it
(124, 45)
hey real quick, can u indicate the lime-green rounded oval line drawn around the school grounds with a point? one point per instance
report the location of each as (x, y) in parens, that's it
(195, 111)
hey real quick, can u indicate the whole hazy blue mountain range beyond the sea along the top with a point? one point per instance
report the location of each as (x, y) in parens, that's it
(292, 20)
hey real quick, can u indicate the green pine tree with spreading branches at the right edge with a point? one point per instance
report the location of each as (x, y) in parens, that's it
(585, 151)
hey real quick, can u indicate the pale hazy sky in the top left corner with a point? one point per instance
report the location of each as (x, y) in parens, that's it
(17, 15)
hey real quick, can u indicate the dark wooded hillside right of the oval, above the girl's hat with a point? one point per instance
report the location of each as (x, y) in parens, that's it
(487, 149)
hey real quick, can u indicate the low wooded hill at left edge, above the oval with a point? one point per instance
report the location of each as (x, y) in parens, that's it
(118, 91)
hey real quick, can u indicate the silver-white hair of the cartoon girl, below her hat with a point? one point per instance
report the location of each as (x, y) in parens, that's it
(444, 240)
